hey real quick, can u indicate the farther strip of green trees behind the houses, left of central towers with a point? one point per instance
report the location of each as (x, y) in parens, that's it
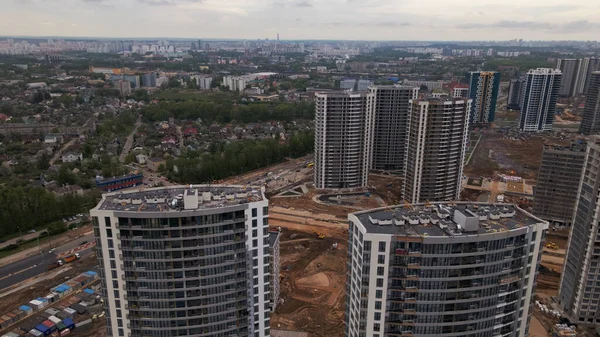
(225, 111)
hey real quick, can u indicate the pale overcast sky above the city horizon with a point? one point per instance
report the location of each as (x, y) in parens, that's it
(306, 19)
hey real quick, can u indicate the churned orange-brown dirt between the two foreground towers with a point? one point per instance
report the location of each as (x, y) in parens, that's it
(313, 276)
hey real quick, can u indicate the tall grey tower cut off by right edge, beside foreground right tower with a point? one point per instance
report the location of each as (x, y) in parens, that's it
(578, 292)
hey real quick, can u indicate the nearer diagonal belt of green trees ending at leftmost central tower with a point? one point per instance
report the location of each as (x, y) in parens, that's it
(237, 158)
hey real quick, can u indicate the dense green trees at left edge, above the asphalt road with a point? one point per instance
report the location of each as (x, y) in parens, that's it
(30, 208)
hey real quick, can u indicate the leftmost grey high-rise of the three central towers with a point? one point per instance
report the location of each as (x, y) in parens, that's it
(342, 140)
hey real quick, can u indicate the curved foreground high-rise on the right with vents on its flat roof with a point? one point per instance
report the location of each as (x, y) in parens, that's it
(442, 269)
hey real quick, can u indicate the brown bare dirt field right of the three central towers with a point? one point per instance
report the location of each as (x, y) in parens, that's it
(497, 155)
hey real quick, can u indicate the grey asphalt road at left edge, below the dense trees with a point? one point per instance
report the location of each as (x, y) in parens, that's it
(35, 265)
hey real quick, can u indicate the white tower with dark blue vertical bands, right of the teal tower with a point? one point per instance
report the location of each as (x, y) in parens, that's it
(538, 100)
